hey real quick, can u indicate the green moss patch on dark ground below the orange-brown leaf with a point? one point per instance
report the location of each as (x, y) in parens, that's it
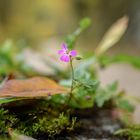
(36, 120)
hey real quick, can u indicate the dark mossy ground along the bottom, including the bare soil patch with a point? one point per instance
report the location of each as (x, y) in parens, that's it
(44, 119)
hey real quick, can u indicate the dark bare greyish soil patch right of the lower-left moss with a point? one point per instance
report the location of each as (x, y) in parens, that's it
(94, 125)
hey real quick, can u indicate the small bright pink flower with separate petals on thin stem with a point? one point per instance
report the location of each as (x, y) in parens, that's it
(66, 54)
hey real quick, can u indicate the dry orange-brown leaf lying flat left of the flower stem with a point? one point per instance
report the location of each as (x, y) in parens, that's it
(33, 87)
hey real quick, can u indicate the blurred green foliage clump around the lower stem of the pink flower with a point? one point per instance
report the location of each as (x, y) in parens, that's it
(85, 87)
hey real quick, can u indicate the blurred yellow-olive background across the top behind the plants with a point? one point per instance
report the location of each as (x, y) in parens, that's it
(38, 20)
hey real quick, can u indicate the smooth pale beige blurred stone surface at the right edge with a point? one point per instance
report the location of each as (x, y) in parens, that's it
(129, 81)
